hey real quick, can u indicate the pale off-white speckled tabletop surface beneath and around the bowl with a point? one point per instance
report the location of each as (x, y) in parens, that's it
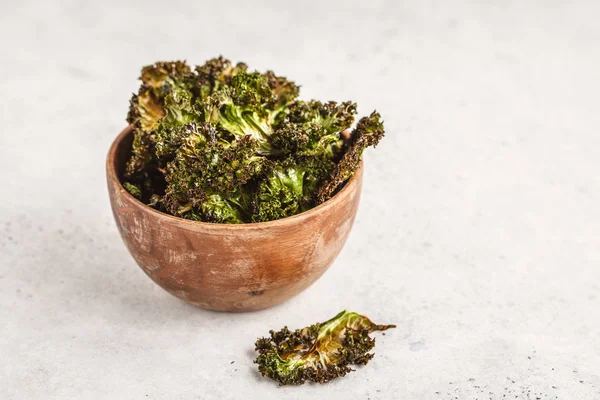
(478, 232)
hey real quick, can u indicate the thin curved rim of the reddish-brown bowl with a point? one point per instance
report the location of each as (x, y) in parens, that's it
(113, 178)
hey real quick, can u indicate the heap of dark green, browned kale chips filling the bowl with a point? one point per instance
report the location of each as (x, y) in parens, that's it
(217, 143)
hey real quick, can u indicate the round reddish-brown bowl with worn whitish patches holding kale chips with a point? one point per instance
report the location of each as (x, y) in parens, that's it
(230, 267)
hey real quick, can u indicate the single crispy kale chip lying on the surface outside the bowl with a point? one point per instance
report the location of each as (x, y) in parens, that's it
(318, 353)
